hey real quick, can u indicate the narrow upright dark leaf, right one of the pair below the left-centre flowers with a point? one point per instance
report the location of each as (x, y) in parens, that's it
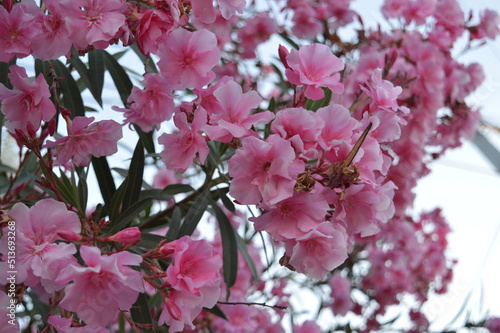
(134, 177)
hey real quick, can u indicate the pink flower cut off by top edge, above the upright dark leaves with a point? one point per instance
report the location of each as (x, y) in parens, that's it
(93, 22)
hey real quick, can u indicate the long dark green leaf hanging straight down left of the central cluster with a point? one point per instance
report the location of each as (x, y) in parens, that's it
(229, 247)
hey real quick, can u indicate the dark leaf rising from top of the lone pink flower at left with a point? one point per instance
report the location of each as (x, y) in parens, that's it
(72, 98)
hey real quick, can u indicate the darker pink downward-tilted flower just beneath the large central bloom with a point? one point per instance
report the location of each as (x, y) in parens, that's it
(293, 217)
